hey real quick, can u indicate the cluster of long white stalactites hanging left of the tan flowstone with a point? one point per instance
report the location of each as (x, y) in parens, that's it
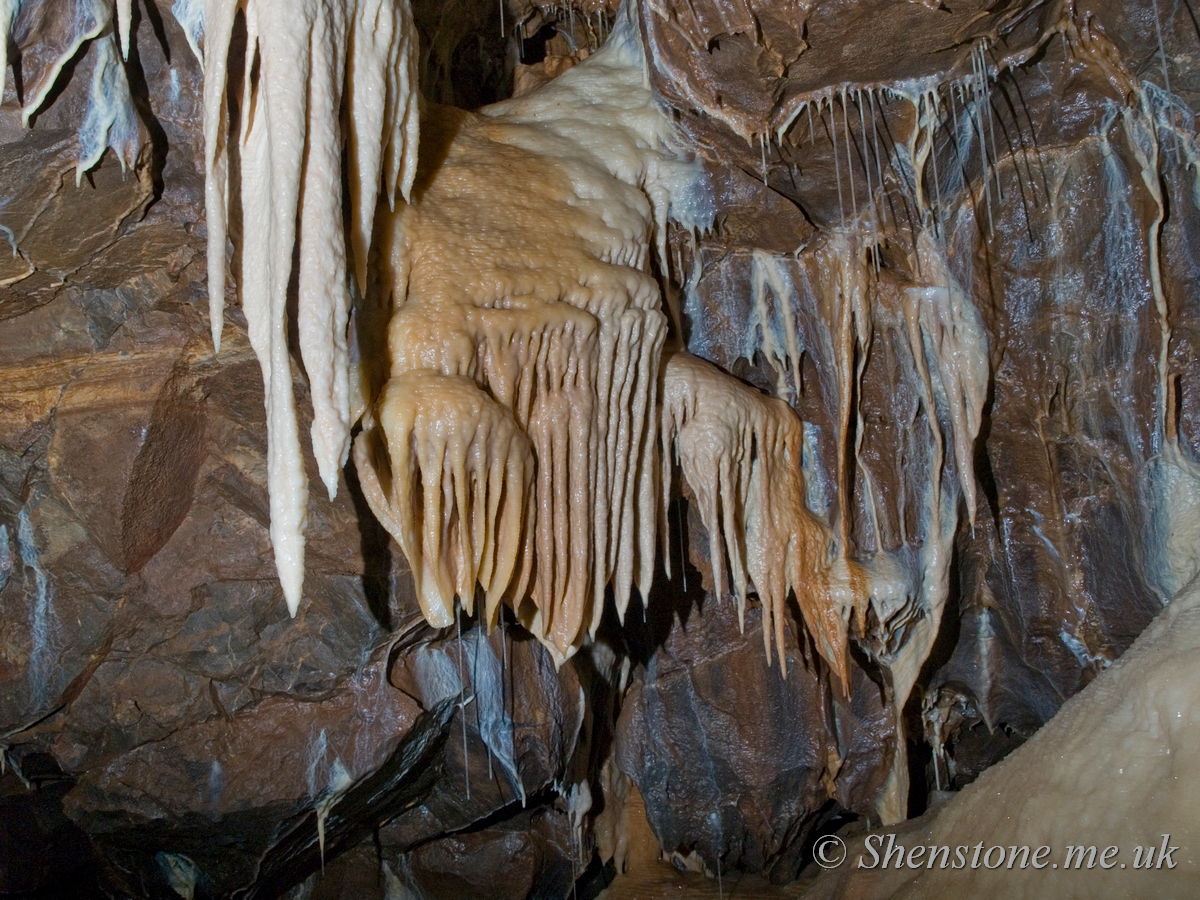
(310, 56)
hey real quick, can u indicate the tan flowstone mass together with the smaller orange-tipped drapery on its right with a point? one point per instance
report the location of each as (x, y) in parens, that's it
(527, 322)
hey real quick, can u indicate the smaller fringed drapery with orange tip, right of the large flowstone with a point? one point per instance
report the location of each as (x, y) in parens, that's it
(740, 452)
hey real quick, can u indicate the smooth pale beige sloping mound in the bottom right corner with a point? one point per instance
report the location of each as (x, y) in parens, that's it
(1118, 767)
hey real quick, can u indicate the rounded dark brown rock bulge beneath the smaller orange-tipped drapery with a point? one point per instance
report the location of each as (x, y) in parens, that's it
(763, 749)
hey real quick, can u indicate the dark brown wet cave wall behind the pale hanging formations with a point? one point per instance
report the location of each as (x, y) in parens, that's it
(993, 349)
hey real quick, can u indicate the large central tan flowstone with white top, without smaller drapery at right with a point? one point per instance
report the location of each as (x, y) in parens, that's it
(525, 268)
